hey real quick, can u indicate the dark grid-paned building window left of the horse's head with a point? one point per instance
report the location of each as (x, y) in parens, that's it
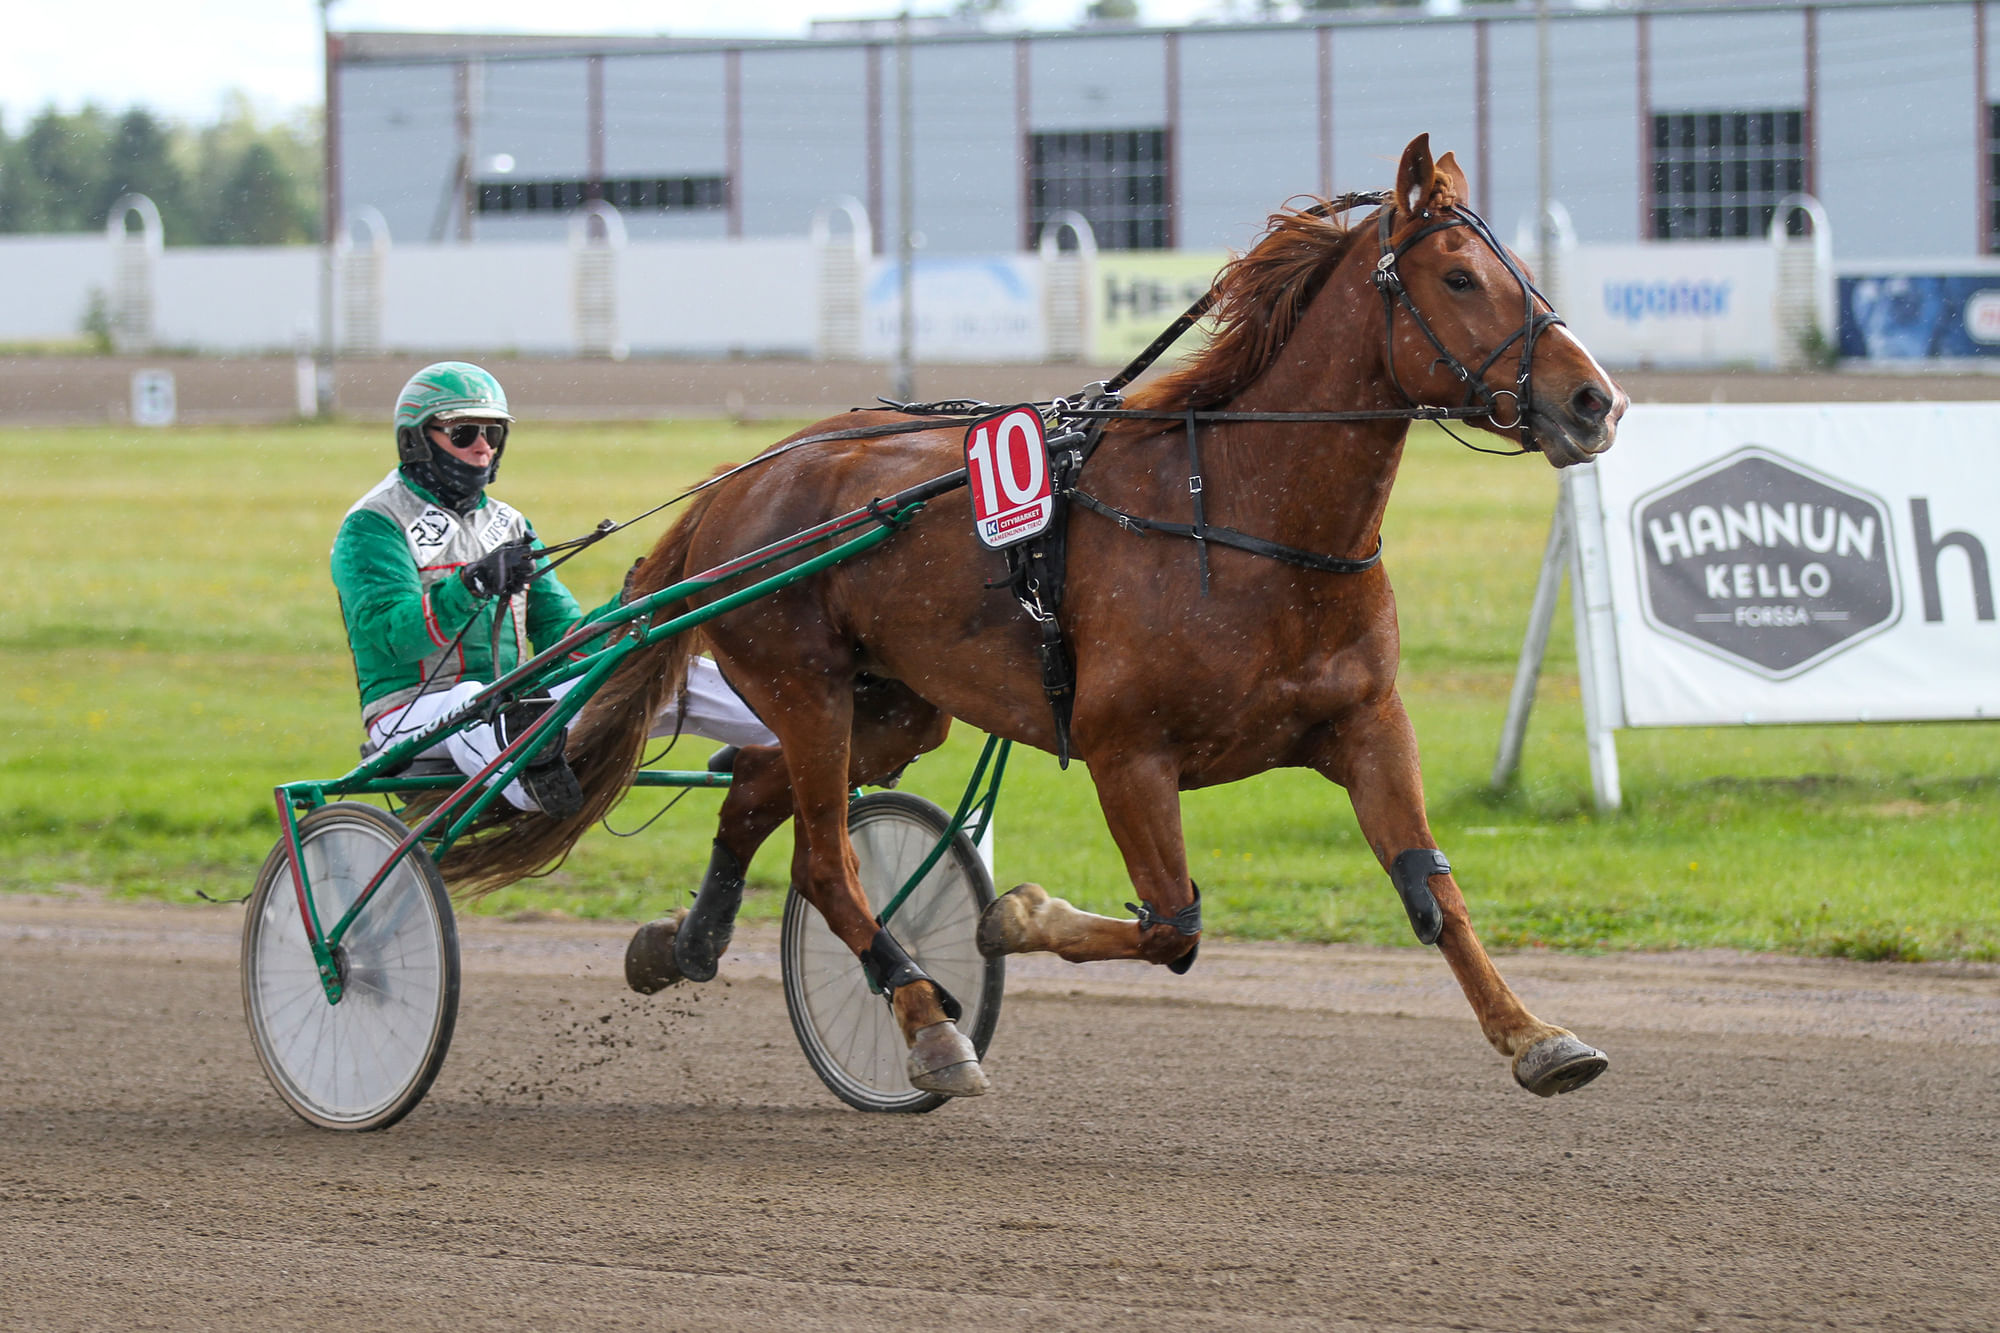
(1113, 177)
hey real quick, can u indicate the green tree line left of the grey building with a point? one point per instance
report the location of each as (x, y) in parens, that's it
(237, 181)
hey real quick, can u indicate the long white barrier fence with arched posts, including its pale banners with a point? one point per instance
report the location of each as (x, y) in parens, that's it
(1757, 303)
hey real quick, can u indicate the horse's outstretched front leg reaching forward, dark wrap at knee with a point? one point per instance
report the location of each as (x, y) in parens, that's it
(1373, 754)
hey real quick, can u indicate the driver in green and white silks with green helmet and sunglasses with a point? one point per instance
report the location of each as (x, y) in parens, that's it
(441, 595)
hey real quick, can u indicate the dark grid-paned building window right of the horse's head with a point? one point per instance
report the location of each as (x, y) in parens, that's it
(1721, 175)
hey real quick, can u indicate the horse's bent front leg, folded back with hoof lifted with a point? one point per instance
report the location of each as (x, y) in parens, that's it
(1141, 800)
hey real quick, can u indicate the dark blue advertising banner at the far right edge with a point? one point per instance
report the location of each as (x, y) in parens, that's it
(1919, 317)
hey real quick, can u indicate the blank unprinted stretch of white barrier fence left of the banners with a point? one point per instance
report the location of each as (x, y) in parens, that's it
(579, 299)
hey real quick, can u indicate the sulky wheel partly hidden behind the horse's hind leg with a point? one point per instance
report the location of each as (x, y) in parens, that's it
(849, 1034)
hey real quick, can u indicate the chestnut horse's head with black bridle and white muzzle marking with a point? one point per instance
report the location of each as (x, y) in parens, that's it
(1469, 329)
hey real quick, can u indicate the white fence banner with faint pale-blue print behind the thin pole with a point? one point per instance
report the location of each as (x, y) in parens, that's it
(969, 309)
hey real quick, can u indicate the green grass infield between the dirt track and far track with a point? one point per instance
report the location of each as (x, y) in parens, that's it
(173, 649)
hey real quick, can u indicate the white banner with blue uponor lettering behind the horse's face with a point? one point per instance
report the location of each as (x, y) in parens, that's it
(1663, 305)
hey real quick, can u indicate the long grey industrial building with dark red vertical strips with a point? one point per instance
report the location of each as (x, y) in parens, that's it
(1667, 121)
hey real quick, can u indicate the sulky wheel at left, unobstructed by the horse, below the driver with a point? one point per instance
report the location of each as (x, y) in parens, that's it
(369, 1060)
